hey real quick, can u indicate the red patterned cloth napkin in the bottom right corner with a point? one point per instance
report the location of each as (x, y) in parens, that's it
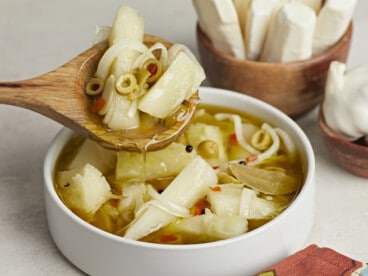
(316, 261)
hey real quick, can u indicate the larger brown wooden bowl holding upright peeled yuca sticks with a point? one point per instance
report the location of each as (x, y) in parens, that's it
(295, 87)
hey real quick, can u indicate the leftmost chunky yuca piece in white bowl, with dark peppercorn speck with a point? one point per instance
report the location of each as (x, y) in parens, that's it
(84, 189)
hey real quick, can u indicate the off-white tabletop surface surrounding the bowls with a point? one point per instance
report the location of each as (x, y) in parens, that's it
(39, 35)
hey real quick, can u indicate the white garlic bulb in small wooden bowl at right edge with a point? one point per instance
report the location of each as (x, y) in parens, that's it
(345, 107)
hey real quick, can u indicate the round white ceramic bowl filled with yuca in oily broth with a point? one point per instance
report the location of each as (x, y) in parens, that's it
(99, 253)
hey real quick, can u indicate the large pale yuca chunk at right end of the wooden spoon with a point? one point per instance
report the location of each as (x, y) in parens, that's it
(174, 86)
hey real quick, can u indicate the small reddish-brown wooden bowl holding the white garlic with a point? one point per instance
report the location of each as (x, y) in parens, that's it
(352, 156)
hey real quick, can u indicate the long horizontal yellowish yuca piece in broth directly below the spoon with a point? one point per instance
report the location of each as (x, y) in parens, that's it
(166, 162)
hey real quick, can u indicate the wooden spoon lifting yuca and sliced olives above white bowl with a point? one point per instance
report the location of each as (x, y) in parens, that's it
(60, 96)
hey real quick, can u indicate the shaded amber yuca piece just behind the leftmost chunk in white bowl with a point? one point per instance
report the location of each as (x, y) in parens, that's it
(92, 153)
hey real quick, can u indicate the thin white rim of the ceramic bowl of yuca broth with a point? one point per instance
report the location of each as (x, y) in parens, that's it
(58, 143)
